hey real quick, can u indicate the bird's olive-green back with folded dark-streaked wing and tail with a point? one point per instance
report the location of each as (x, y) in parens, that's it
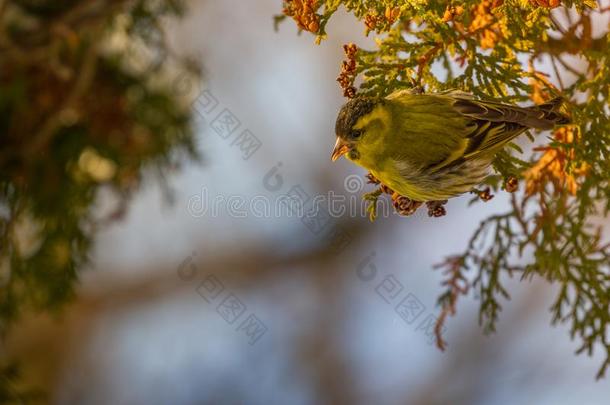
(435, 131)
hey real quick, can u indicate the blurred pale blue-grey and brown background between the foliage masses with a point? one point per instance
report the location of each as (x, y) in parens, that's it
(182, 306)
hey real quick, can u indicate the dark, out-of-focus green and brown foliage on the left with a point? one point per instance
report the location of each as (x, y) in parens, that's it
(88, 101)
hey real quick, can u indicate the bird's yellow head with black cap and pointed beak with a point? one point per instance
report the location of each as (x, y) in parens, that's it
(359, 126)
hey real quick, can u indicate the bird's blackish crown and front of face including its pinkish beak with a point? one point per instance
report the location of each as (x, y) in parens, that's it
(349, 115)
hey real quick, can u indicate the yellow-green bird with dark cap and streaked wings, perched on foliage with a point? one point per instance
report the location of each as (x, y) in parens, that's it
(431, 147)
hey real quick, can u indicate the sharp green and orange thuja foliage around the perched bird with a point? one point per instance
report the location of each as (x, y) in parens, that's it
(513, 51)
